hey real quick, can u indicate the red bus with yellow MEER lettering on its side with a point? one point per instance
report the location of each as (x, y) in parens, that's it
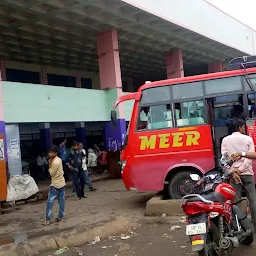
(177, 126)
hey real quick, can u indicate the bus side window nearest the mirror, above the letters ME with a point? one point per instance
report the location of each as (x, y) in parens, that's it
(155, 117)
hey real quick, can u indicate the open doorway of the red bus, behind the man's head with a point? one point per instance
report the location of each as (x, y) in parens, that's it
(222, 110)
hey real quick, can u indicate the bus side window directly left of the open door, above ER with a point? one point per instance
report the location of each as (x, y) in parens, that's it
(190, 113)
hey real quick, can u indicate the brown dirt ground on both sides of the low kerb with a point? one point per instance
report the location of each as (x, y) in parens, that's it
(151, 236)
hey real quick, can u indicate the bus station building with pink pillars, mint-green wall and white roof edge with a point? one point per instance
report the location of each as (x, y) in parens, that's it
(63, 63)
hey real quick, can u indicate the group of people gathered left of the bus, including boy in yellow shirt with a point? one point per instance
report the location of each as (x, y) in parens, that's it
(63, 166)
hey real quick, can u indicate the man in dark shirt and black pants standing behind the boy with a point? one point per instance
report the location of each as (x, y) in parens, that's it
(75, 165)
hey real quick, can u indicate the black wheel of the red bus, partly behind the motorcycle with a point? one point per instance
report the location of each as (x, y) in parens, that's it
(181, 185)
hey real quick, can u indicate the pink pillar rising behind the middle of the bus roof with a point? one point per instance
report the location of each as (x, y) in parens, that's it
(174, 64)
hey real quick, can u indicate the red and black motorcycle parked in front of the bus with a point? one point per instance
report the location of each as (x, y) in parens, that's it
(215, 224)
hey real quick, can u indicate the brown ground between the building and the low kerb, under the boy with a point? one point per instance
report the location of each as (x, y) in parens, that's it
(111, 200)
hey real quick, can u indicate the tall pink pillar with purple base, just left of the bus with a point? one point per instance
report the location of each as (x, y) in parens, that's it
(111, 80)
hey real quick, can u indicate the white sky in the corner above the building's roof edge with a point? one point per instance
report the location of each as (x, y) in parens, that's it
(243, 10)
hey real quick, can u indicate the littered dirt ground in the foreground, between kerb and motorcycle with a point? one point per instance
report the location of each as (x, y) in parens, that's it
(147, 240)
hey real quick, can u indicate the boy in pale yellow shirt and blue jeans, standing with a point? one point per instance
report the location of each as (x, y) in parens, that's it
(56, 187)
